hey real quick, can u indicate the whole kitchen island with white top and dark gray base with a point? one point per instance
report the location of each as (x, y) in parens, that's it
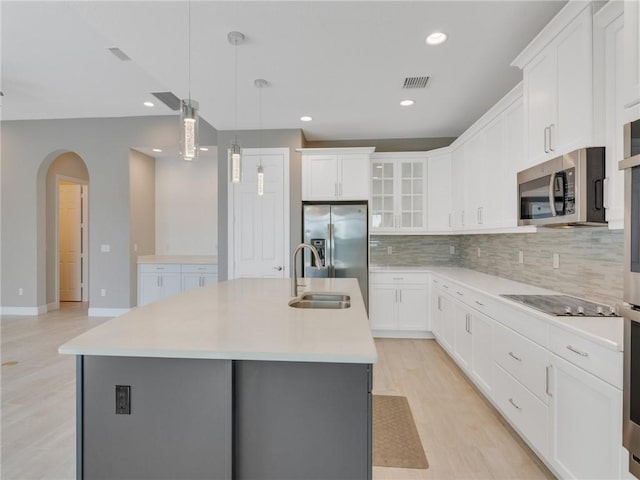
(228, 381)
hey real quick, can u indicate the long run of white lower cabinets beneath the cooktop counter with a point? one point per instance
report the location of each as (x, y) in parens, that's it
(559, 390)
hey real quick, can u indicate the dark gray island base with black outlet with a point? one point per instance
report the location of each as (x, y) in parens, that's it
(224, 419)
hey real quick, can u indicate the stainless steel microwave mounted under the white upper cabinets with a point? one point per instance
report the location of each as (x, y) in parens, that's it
(567, 190)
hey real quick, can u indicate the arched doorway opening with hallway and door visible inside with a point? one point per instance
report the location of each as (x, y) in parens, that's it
(67, 258)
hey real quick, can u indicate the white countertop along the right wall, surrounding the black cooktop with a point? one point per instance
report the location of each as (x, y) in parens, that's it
(605, 331)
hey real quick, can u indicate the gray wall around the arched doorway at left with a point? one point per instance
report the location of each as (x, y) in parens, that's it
(28, 148)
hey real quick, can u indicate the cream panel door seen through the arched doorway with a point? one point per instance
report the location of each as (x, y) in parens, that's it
(70, 242)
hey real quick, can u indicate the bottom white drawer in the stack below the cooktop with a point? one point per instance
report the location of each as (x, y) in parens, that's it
(523, 409)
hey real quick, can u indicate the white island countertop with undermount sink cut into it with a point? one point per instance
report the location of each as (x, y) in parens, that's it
(245, 319)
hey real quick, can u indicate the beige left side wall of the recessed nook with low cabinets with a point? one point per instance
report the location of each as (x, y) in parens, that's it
(142, 197)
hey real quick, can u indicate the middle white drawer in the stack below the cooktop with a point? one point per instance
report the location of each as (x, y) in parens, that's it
(523, 359)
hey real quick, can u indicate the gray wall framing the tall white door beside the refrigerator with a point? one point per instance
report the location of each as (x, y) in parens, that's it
(291, 139)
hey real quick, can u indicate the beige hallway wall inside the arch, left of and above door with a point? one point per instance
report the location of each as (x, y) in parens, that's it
(70, 165)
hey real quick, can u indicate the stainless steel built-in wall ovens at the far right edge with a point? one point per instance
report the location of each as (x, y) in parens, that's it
(631, 295)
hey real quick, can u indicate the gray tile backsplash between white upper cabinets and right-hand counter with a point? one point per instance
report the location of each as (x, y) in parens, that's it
(589, 259)
